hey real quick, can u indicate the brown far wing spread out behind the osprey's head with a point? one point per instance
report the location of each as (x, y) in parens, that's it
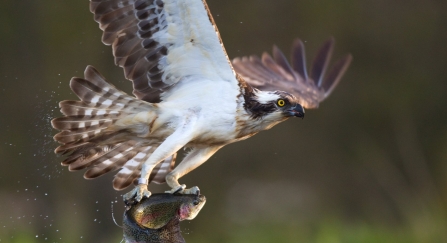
(275, 73)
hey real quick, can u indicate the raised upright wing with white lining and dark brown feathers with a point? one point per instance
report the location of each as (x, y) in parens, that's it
(160, 42)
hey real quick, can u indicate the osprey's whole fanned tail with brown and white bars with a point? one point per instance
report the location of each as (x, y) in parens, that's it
(92, 140)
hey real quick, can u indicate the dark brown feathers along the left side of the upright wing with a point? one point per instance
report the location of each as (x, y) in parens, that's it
(129, 26)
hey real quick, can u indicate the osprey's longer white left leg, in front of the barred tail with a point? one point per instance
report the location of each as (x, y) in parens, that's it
(182, 135)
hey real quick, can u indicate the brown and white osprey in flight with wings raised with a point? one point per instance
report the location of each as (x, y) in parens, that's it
(188, 94)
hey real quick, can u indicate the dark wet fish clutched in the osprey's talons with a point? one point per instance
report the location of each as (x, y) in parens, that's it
(157, 219)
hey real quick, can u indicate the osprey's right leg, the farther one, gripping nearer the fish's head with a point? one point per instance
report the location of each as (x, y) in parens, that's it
(194, 159)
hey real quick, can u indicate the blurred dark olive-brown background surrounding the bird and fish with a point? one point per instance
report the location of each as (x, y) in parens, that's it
(369, 165)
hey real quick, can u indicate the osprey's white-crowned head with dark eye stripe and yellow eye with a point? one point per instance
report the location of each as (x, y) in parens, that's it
(273, 106)
